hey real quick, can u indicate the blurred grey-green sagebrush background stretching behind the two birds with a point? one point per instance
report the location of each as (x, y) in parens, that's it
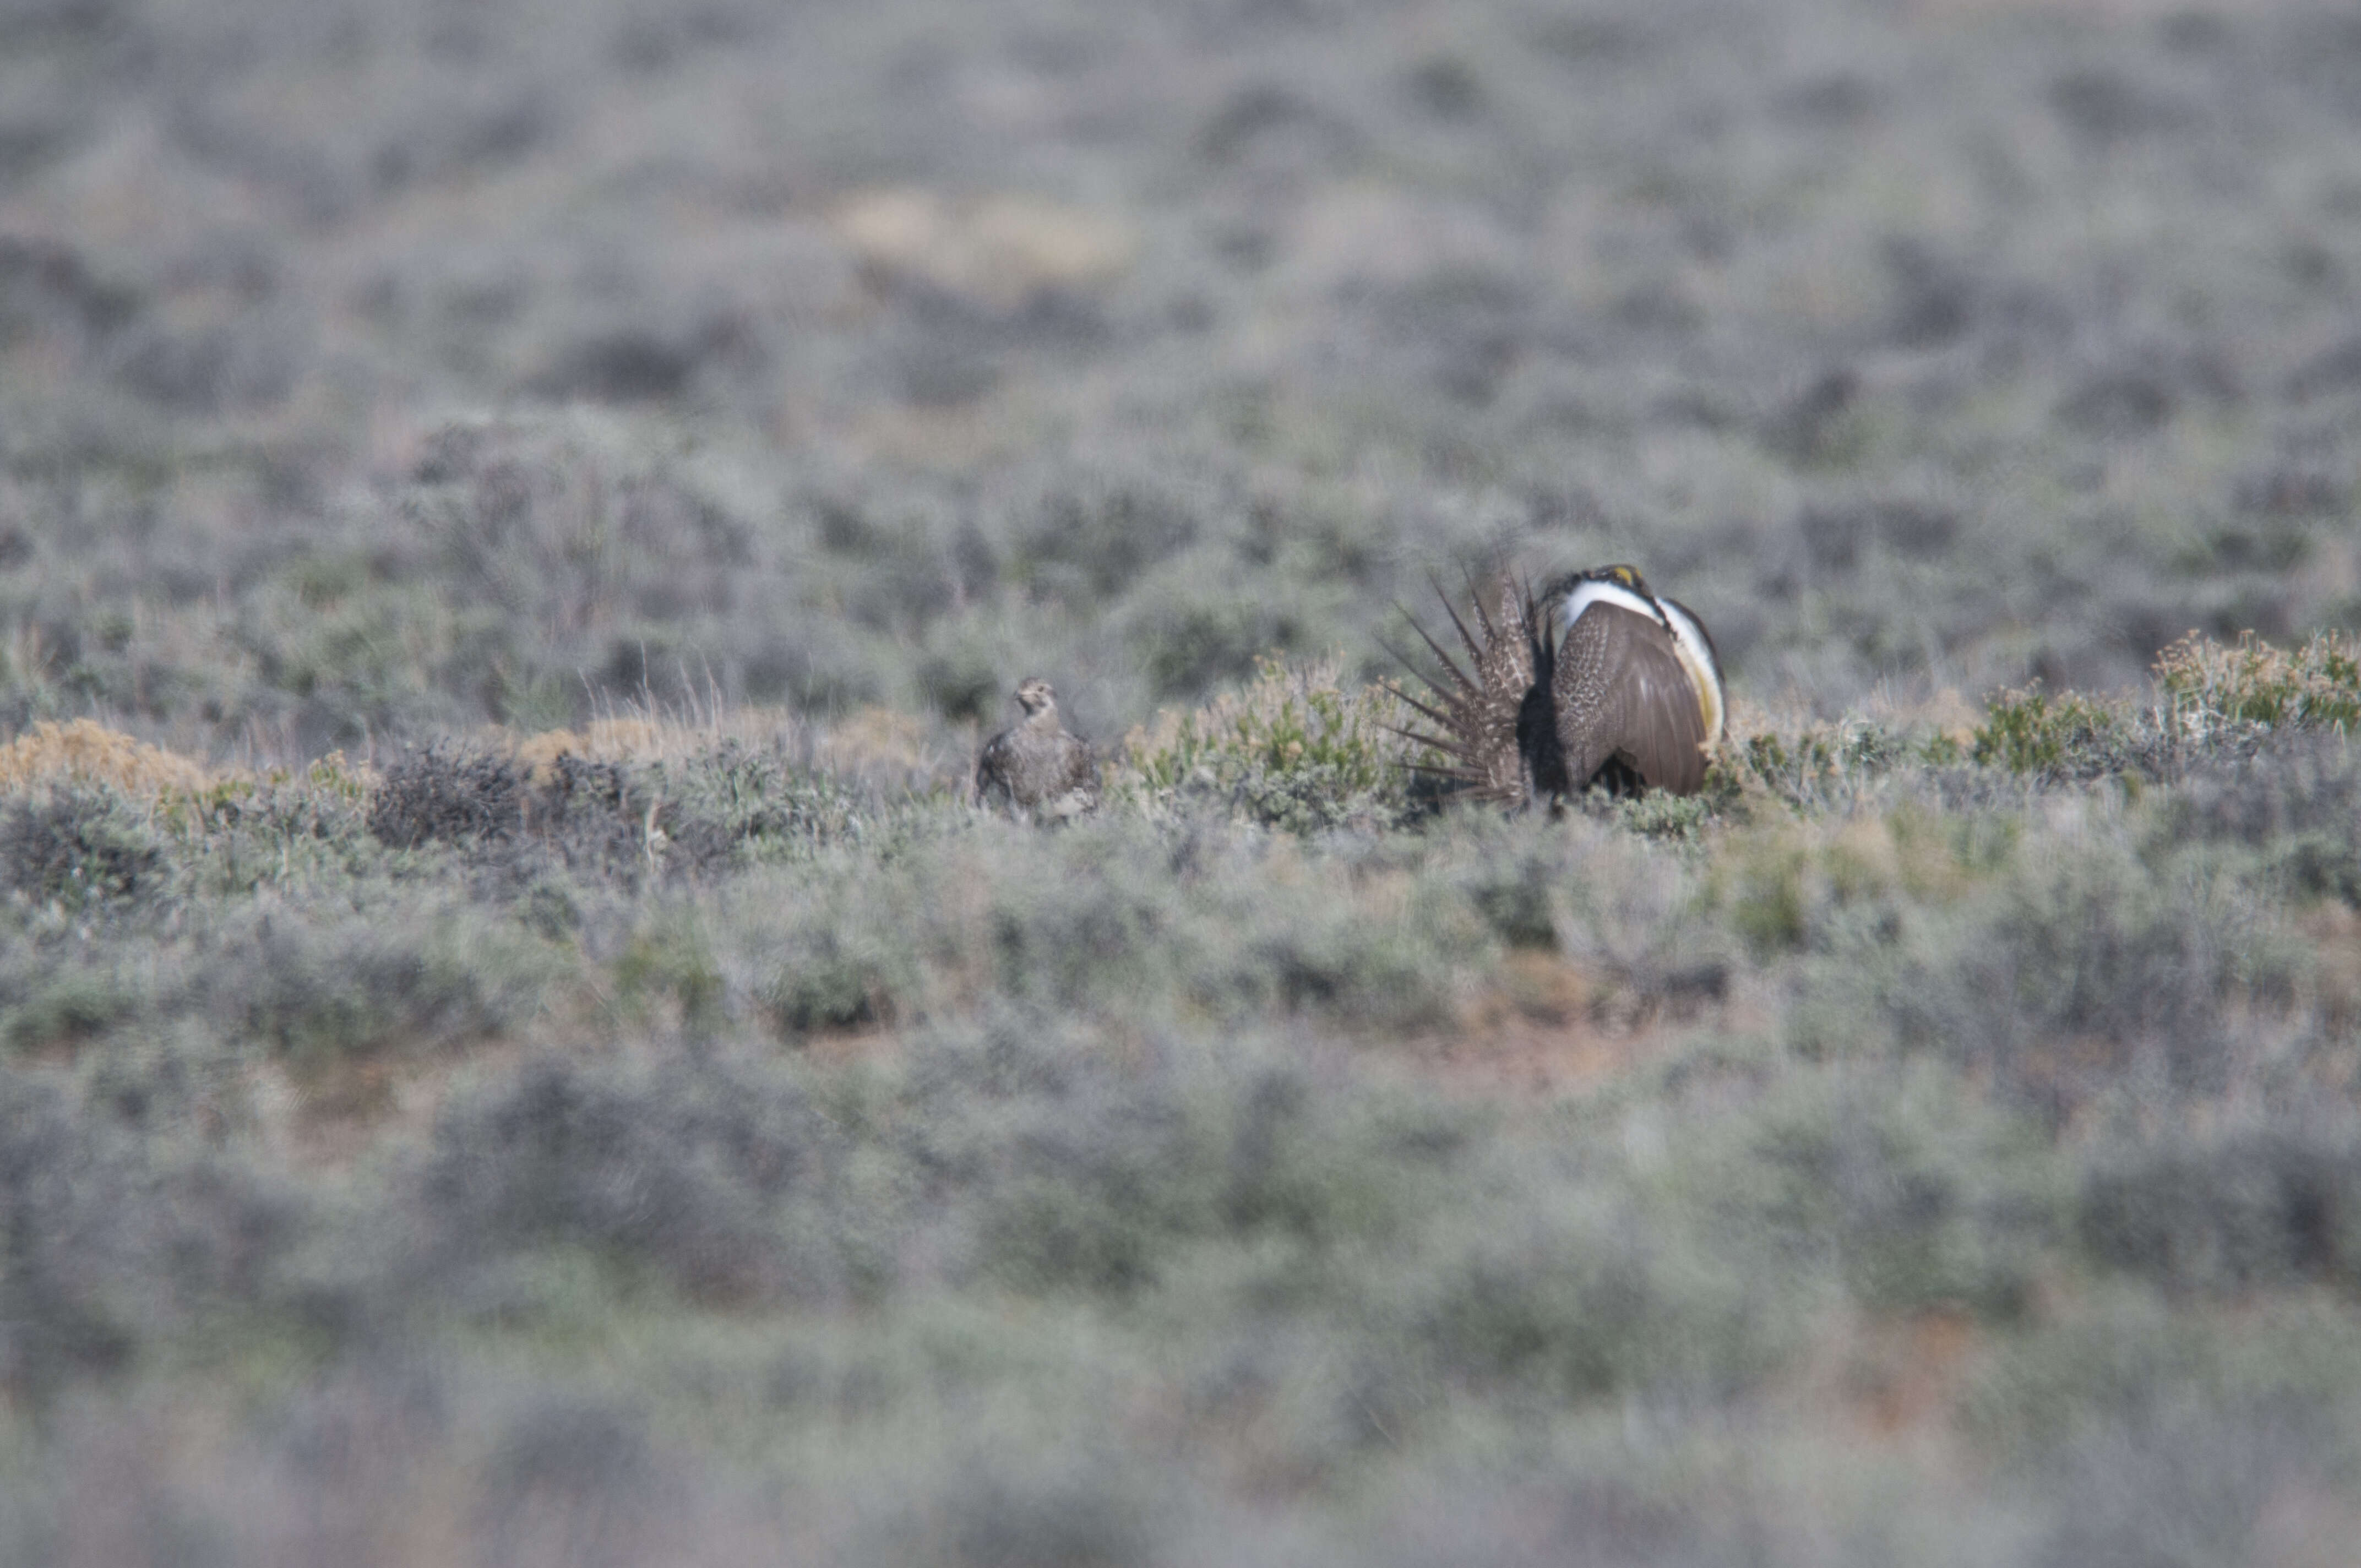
(381, 370)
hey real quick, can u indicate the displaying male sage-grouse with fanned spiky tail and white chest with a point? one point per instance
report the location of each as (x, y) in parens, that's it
(1590, 684)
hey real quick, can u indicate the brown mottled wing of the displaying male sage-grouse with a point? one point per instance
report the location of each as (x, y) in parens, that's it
(1621, 693)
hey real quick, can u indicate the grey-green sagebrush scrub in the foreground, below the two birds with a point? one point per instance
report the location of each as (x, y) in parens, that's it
(832, 1092)
